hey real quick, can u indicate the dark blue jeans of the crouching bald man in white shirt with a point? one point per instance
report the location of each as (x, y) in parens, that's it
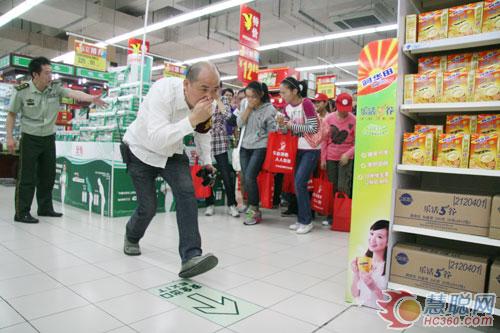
(176, 174)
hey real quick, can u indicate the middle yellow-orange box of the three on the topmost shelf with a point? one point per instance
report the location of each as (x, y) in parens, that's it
(465, 20)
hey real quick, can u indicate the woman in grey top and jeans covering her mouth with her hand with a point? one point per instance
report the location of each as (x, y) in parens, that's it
(258, 120)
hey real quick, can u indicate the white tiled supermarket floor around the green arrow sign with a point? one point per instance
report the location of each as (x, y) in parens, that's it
(70, 275)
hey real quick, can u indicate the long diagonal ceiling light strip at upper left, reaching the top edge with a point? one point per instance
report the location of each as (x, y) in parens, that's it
(218, 7)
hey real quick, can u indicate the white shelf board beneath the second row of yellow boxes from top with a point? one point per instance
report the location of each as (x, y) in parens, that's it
(442, 108)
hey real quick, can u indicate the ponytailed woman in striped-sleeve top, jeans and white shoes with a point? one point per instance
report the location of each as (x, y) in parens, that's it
(303, 122)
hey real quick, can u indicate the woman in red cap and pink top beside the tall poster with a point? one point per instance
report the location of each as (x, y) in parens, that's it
(337, 150)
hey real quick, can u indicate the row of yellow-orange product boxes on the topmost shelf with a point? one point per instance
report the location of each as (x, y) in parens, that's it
(470, 19)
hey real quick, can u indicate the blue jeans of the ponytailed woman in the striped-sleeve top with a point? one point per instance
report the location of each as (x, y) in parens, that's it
(307, 161)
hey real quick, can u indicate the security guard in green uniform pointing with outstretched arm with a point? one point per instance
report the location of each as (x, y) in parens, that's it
(38, 102)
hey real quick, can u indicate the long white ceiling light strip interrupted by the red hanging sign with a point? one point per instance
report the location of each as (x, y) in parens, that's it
(303, 41)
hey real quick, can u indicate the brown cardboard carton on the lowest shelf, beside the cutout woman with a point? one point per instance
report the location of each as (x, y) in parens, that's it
(437, 270)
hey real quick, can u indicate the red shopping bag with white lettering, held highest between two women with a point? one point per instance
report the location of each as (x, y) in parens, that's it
(281, 153)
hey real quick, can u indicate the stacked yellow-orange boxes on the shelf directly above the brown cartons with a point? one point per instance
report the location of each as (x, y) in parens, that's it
(469, 142)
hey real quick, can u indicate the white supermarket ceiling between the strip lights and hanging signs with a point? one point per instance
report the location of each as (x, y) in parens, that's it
(41, 31)
